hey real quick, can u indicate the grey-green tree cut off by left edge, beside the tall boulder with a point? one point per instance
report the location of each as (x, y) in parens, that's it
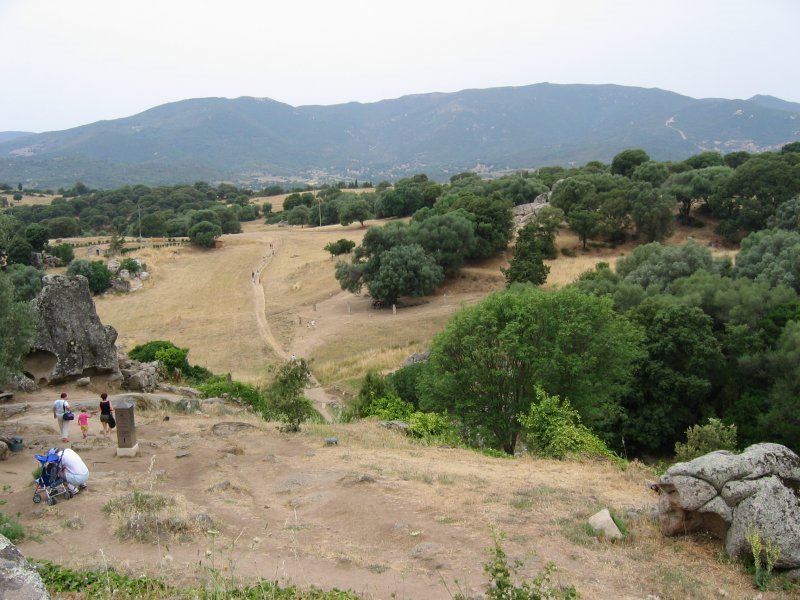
(17, 329)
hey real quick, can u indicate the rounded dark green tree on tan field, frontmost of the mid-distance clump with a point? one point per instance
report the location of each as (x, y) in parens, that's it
(405, 271)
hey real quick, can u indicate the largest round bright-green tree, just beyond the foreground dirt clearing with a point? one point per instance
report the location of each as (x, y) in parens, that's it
(485, 366)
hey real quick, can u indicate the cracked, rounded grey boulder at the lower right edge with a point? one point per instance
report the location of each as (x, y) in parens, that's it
(727, 494)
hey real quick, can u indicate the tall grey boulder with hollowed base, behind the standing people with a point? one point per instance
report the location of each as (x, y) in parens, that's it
(71, 340)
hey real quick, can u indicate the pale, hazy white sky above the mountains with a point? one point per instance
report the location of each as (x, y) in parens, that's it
(66, 63)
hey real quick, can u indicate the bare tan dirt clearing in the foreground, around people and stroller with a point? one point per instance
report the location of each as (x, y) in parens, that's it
(376, 513)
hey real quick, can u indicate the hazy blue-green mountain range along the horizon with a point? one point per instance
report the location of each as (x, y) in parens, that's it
(254, 141)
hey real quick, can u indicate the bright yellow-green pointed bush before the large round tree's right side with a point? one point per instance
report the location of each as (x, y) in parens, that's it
(553, 429)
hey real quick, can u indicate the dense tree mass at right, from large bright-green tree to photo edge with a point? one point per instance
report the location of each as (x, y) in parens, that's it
(668, 340)
